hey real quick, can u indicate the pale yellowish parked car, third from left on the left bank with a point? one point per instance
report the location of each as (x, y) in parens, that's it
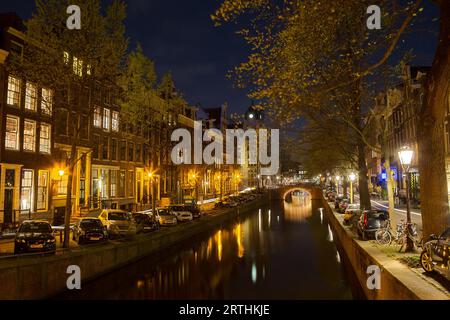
(118, 222)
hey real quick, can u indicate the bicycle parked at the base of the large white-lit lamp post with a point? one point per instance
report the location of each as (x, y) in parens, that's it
(404, 230)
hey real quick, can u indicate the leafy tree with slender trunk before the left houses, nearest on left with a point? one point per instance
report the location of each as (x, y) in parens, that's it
(67, 60)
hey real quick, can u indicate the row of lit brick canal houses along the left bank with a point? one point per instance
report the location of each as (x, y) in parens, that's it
(114, 160)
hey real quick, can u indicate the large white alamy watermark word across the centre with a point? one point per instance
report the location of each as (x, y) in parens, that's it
(250, 145)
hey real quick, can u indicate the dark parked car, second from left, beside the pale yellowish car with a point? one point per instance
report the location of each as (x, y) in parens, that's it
(89, 230)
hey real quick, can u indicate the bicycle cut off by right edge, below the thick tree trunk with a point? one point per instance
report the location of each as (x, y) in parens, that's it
(435, 254)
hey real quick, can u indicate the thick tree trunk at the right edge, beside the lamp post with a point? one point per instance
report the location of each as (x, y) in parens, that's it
(431, 133)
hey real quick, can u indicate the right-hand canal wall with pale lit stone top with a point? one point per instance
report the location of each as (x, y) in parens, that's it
(397, 281)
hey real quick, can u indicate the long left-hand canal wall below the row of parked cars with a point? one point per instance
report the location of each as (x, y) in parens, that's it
(45, 276)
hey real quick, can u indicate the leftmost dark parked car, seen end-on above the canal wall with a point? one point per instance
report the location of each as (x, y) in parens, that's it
(34, 236)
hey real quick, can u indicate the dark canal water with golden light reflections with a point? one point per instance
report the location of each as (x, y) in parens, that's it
(281, 251)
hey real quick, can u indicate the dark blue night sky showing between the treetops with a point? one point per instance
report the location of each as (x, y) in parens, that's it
(180, 37)
